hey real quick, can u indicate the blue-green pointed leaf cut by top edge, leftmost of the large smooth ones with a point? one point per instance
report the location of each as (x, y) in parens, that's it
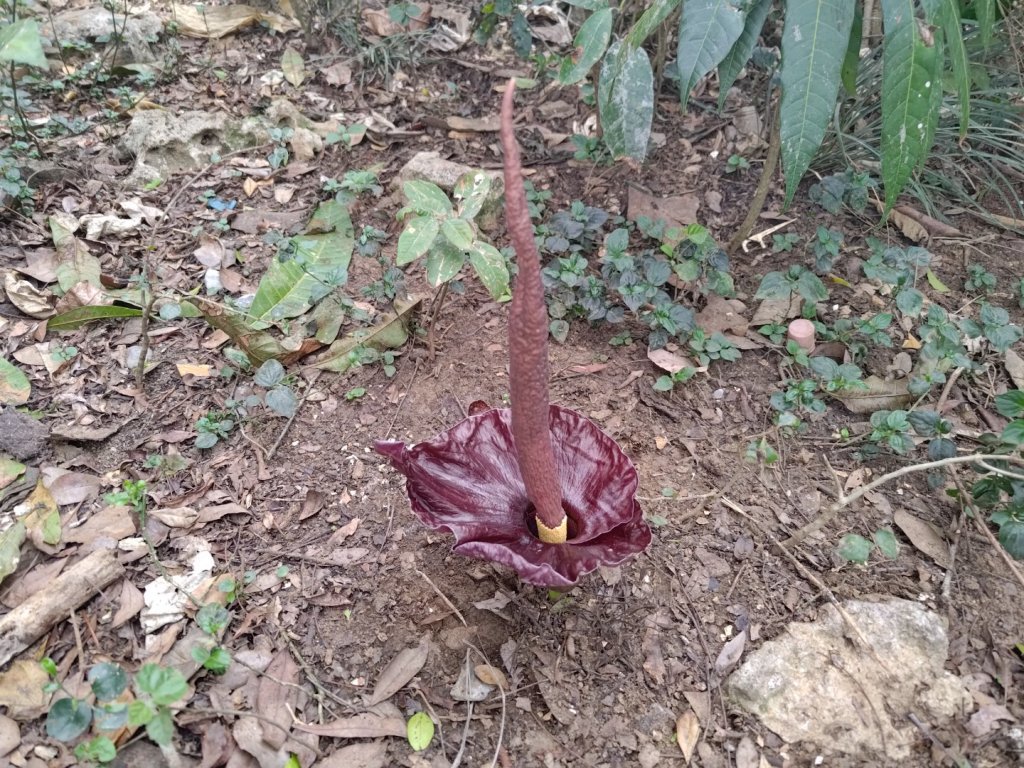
(708, 30)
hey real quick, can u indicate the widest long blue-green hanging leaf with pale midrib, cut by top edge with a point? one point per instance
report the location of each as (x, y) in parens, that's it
(815, 41)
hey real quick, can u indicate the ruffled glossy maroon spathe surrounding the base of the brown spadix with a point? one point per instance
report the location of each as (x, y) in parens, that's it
(467, 481)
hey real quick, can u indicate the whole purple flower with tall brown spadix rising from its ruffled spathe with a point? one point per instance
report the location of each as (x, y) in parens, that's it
(537, 488)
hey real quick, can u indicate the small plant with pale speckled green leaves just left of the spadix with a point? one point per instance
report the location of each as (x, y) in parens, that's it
(448, 236)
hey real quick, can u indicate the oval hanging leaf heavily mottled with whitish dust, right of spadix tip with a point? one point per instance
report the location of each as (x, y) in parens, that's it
(626, 101)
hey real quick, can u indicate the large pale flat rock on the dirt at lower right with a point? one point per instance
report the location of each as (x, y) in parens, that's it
(815, 685)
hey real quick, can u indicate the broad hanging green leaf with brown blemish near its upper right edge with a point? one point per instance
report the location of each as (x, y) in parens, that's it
(912, 90)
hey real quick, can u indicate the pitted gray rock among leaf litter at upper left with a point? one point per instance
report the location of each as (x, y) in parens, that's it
(162, 144)
